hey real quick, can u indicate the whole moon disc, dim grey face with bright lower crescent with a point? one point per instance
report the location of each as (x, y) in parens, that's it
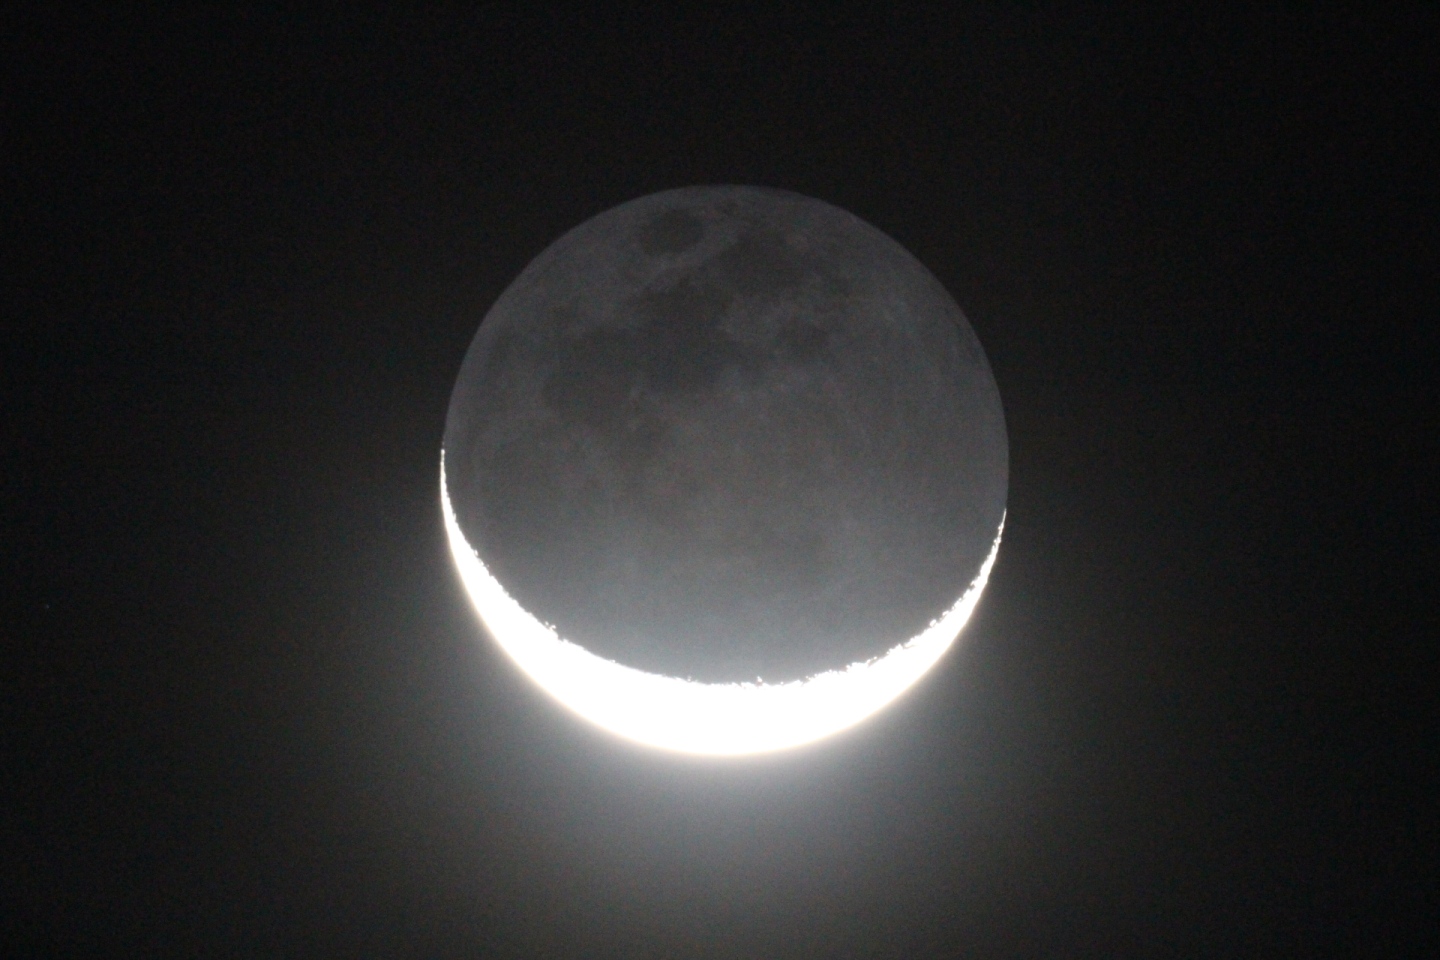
(725, 470)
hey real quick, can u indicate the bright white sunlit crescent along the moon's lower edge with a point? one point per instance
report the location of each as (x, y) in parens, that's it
(686, 716)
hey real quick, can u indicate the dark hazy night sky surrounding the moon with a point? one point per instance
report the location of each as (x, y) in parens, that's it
(248, 712)
